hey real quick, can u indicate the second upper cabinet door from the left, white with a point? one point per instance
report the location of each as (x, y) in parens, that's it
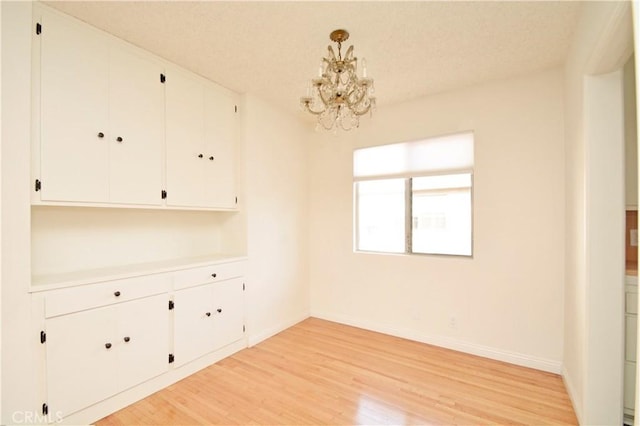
(136, 106)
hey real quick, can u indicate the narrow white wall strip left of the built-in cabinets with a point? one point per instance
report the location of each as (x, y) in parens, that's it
(18, 374)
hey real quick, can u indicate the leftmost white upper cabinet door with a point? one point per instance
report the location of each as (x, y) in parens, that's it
(74, 112)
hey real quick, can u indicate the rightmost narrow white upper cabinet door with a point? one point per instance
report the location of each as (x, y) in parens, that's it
(221, 126)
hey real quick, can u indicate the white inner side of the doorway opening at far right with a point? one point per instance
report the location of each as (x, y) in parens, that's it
(604, 138)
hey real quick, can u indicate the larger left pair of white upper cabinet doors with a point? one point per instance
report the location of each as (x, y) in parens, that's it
(101, 118)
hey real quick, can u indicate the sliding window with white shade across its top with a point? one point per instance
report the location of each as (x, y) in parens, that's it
(415, 197)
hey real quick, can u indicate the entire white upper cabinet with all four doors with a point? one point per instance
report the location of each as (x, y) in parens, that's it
(113, 127)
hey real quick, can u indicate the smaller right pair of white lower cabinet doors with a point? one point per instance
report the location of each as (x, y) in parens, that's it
(207, 318)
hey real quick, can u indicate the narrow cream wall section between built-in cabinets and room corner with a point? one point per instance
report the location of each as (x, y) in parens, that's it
(276, 196)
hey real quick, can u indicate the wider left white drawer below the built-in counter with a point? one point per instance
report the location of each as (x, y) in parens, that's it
(106, 293)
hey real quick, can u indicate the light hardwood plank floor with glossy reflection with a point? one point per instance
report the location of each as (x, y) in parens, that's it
(320, 372)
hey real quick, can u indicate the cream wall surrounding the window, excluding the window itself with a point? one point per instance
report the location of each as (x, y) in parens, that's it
(508, 298)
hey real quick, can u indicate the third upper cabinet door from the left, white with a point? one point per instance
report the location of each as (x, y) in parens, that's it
(184, 140)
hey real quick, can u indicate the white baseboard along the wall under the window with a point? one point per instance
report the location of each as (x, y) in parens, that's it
(524, 360)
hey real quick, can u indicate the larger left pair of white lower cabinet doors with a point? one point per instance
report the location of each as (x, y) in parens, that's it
(93, 354)
